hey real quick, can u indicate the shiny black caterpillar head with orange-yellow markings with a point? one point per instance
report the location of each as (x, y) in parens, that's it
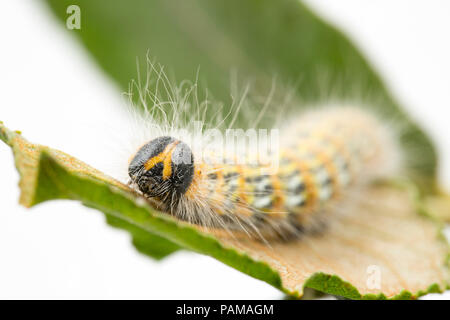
(162, 168)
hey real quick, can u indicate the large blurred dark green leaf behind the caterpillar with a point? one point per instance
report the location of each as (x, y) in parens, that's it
(261, 39)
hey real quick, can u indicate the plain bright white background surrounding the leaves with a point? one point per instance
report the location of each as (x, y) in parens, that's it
(63, 250)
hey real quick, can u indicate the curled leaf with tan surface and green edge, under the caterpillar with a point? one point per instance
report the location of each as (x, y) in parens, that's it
(390, 235)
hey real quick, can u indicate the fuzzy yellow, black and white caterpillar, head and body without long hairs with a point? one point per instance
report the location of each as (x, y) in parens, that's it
(323, 156)
